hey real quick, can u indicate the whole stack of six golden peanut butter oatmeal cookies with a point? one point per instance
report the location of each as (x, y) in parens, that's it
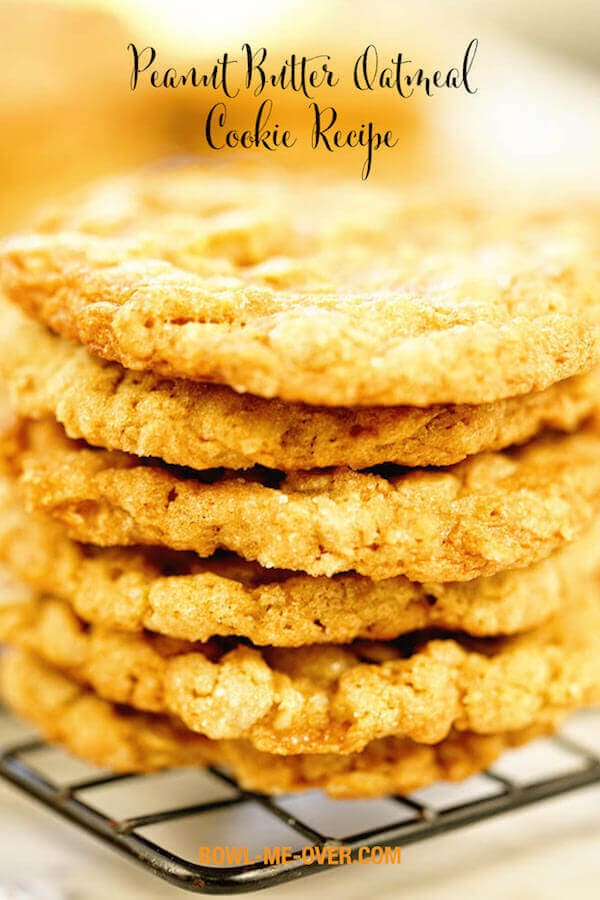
(299, 477)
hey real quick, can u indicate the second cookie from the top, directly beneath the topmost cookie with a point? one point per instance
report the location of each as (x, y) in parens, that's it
(206, 426)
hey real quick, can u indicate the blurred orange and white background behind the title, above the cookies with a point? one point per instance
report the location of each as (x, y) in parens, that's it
(68, 113)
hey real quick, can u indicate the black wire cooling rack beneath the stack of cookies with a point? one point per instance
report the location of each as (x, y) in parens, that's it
(162, 820)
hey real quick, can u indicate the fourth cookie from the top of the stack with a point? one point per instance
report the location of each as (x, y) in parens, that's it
(180, 595)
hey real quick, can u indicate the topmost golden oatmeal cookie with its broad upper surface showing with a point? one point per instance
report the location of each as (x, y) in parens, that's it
(329, 293)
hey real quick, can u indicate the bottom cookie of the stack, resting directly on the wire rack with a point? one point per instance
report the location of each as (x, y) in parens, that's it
(127, 741)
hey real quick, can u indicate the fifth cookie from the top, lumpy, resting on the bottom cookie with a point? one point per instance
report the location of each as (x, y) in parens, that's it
(329, 698)
